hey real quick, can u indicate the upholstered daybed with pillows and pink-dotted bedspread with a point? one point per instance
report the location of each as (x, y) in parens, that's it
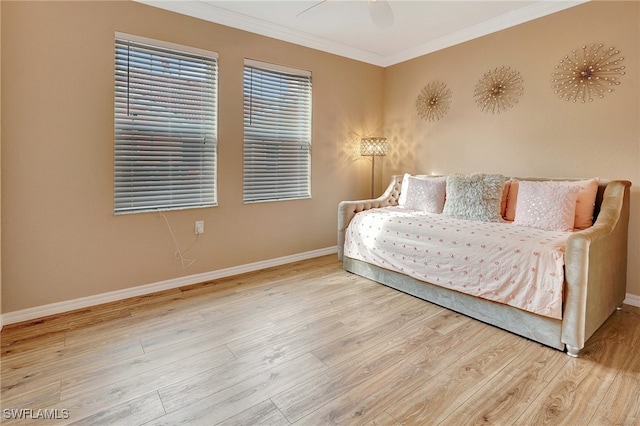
(387, 244)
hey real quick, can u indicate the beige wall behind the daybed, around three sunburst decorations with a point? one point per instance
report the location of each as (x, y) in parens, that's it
(542, 135)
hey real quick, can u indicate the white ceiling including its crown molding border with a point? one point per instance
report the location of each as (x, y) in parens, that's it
(411, 28)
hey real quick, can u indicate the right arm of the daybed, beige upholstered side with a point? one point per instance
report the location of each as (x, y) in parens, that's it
(596, 268)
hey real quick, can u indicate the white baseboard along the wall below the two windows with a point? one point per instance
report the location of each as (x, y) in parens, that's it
(84, 302)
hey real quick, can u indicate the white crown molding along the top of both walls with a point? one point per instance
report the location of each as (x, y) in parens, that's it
(210, 12)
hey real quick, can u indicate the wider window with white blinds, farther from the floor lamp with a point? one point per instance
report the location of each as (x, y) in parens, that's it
(165, 126)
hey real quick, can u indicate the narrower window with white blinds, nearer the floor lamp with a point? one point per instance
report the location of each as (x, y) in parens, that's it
(277, 133)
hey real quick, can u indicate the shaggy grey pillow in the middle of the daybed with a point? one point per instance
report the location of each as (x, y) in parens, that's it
(474, 197)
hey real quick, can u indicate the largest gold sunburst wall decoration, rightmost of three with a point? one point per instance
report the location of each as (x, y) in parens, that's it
(588, 73)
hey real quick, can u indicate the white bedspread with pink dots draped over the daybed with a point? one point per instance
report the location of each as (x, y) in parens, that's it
(515, 265)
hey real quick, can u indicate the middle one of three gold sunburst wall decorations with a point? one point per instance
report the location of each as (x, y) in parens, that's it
(498, 90)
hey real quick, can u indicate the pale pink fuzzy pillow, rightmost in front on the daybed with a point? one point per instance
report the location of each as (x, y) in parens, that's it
(546, 205)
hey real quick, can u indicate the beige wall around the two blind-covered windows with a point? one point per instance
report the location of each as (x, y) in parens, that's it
(61, 240)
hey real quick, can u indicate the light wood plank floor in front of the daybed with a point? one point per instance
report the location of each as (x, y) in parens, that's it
(308, 344)
